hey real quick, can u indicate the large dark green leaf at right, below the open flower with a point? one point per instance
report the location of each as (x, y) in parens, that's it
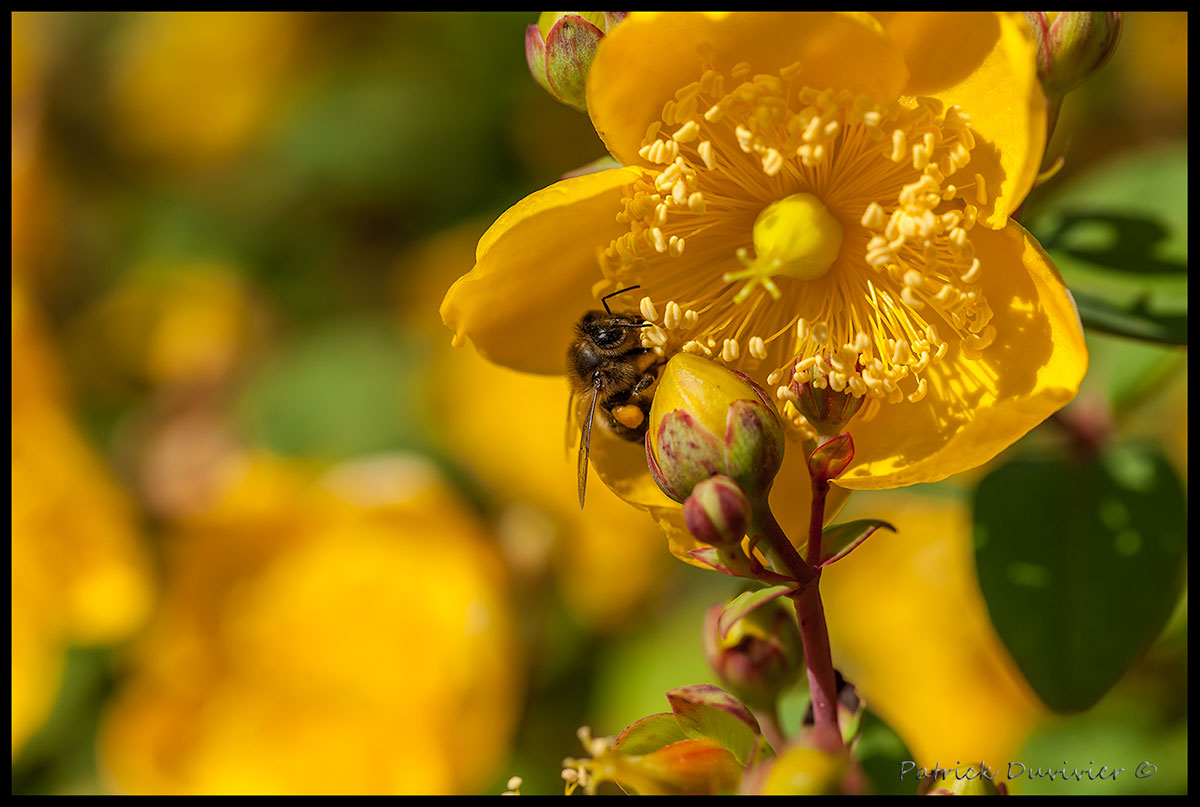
(1081, 566)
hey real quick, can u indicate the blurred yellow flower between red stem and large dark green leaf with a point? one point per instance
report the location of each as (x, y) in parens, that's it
(910, 630)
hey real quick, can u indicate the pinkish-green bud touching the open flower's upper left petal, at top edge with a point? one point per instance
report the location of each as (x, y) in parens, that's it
(561, 47)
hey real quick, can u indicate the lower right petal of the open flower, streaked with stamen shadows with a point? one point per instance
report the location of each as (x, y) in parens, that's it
(975, 410)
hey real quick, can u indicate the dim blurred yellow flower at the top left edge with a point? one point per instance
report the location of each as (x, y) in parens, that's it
(194, 88)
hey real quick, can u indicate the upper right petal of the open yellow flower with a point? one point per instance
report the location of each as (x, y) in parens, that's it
(986, 64)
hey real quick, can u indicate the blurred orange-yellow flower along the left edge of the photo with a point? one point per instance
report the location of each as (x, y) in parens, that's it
(79, 570)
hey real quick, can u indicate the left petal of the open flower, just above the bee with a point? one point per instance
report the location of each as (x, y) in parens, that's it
(535, 271)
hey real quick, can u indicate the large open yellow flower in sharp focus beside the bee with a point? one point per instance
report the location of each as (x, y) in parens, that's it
(823, 187)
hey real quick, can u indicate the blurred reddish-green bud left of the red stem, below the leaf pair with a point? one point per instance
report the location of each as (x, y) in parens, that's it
(760, 655)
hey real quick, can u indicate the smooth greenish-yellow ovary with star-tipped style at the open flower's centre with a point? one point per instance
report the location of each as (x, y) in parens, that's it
(795, 237)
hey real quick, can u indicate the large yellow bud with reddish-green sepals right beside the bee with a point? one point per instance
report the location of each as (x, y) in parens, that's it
(707, 420)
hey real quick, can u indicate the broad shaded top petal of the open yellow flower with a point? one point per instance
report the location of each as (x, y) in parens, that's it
(649, 57)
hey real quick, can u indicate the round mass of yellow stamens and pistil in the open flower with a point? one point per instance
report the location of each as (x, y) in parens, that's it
(866, 208)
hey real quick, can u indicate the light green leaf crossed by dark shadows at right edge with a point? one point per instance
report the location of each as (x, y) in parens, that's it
(1120, 238)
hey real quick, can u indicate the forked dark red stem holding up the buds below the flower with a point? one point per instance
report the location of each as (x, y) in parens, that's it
(809, 615)
